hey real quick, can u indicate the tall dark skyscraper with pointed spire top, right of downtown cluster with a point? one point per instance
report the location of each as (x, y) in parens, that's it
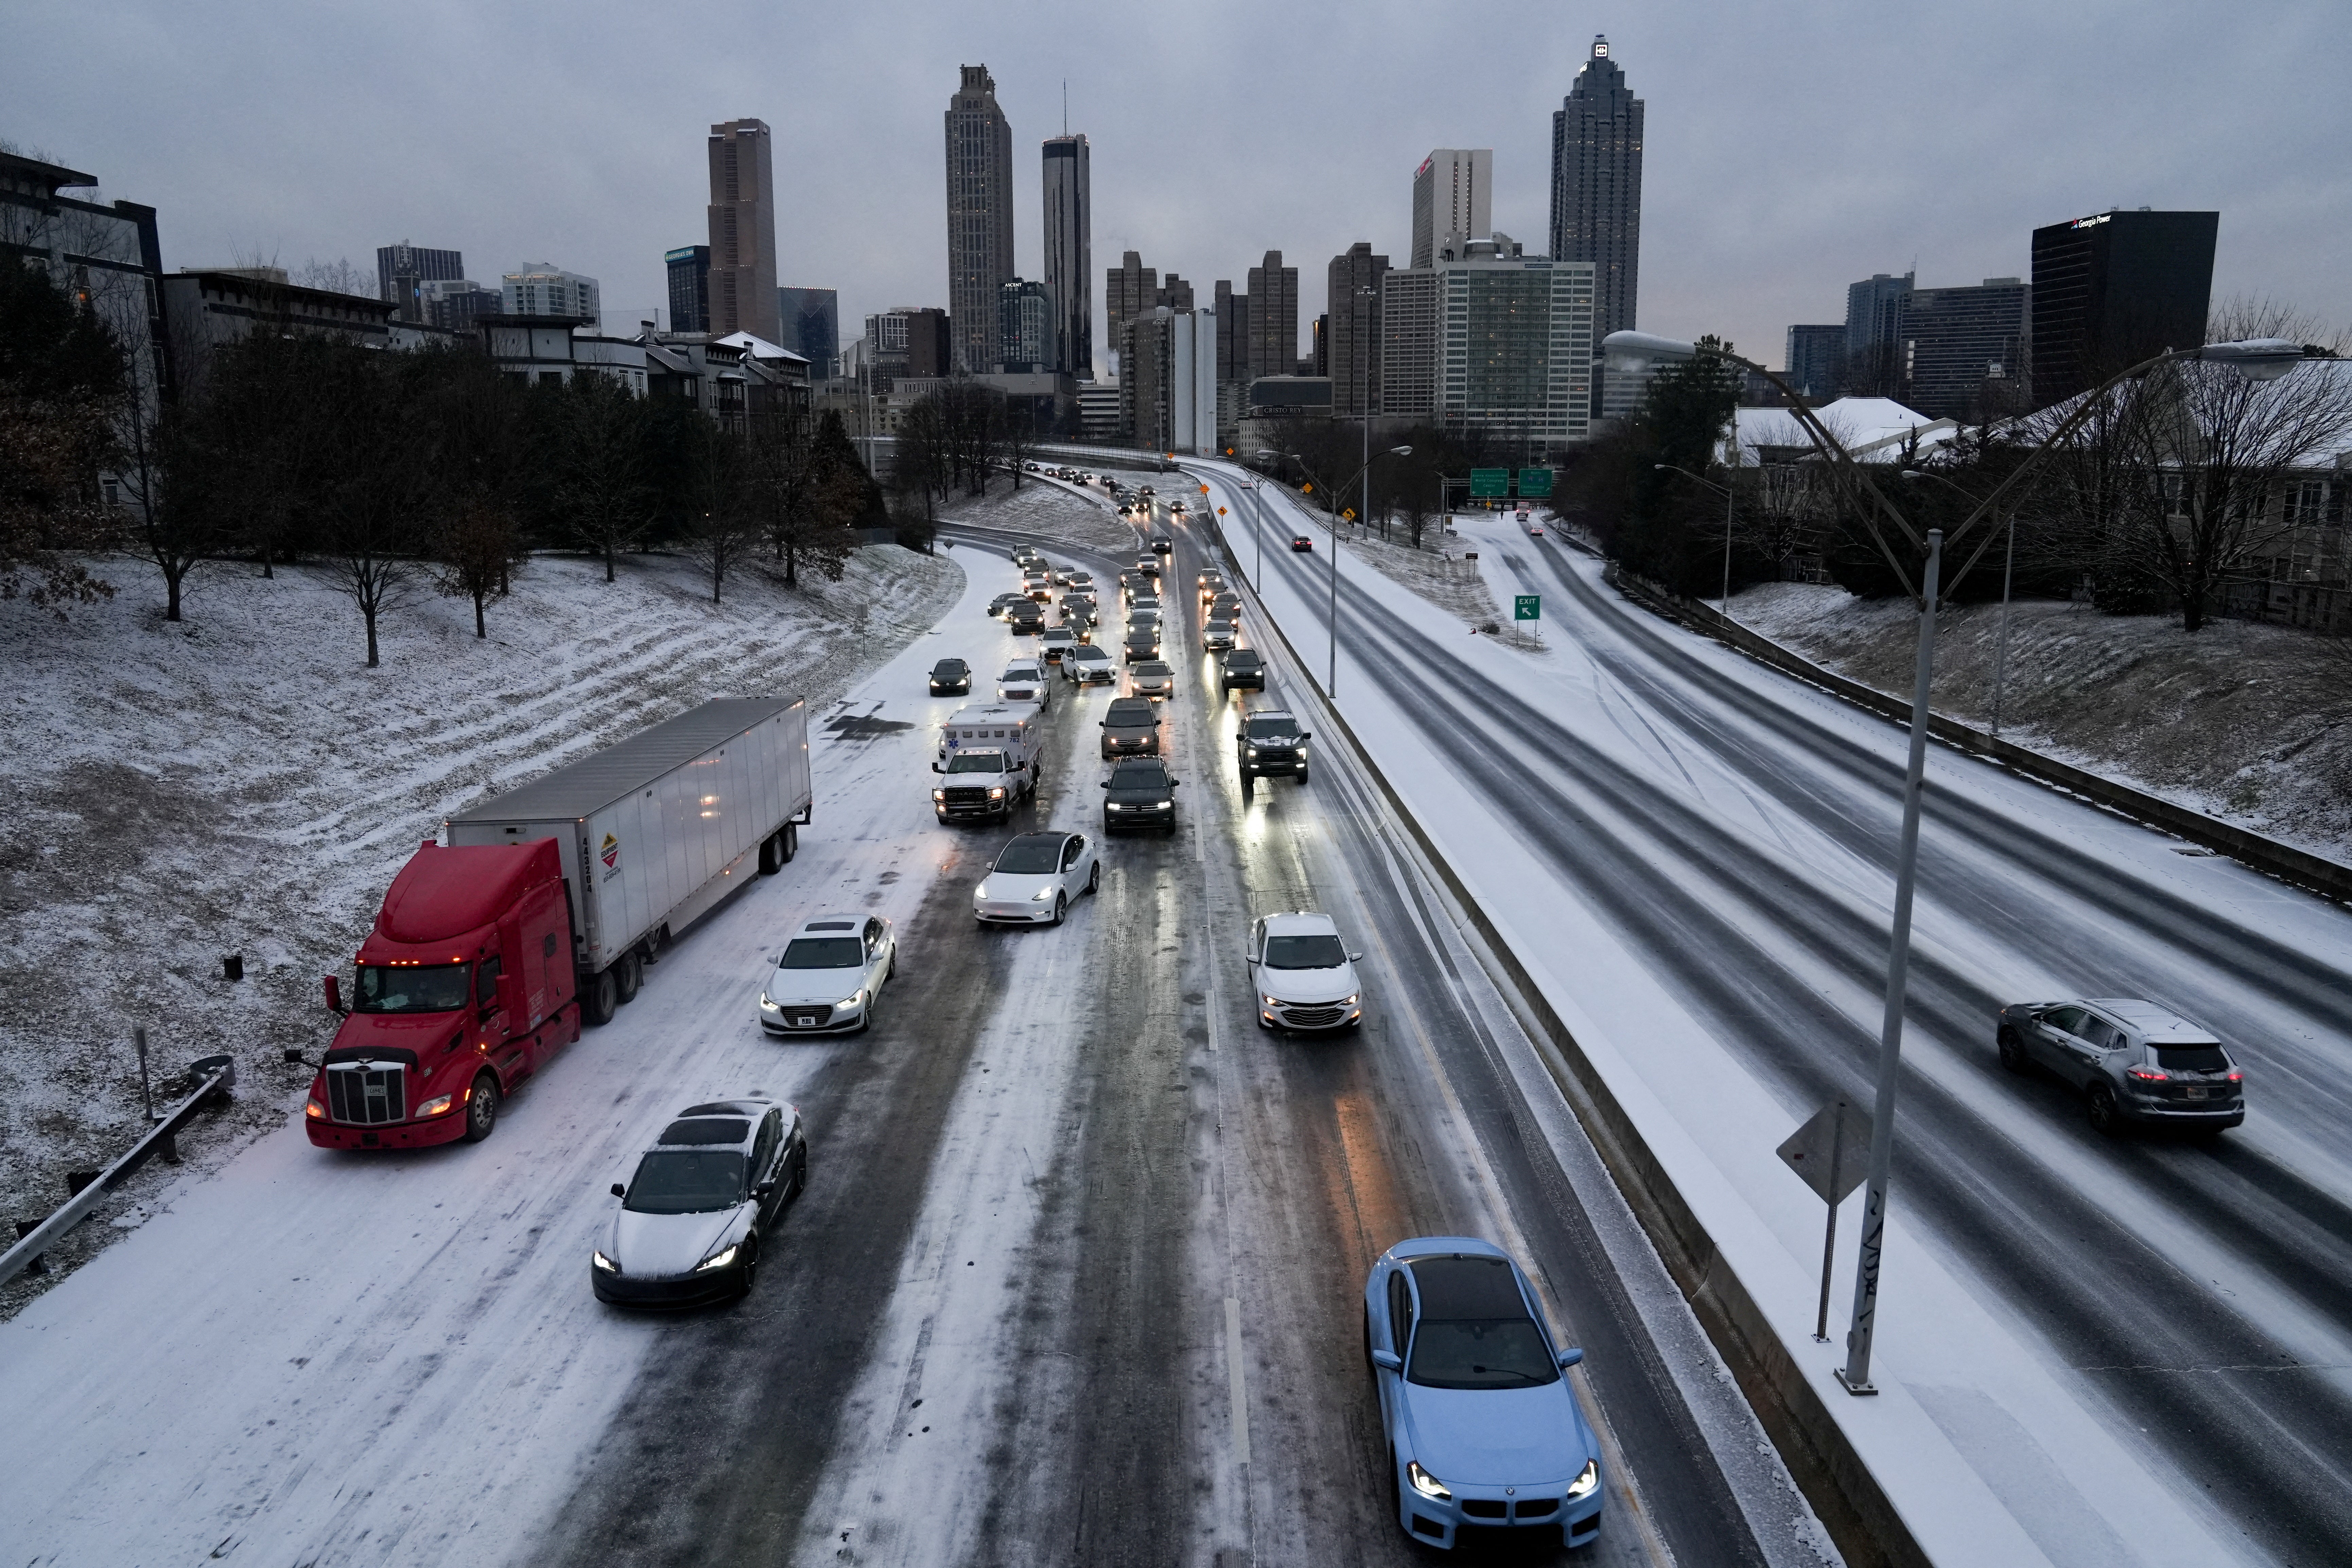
(1598, 187)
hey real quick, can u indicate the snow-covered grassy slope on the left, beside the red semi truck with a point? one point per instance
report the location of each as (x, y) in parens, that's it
(239, 784)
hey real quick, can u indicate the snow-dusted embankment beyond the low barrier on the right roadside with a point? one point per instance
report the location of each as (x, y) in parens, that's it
(2245, 723)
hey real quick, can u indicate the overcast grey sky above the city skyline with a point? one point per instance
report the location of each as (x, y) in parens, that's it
(1791, 147)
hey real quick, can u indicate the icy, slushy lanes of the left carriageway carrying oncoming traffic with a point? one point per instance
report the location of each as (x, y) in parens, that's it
(1076, 1275)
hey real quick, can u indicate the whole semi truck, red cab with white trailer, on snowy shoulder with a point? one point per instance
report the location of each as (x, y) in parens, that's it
(542, 913)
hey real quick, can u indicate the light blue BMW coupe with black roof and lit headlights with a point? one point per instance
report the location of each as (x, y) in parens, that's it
(1483, 1430)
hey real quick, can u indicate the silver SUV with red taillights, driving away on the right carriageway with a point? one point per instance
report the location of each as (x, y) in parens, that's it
(2132, 1061)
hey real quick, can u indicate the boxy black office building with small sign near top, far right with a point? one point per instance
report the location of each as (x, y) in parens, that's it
(2113, 290)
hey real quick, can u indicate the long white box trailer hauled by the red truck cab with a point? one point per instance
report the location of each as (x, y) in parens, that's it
(660, 829)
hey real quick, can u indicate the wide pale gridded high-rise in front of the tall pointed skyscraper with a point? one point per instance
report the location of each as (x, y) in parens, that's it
(1516, 342)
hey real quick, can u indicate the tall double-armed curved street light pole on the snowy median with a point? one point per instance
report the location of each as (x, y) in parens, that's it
(2252, 359)
